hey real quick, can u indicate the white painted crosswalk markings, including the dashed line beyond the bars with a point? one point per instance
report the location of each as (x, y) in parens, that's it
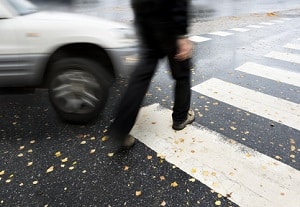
(250, 178)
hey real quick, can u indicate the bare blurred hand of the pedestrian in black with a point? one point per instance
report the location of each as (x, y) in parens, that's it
(184, 49)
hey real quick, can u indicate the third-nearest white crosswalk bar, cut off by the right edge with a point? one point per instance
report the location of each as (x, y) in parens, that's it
(276, 74)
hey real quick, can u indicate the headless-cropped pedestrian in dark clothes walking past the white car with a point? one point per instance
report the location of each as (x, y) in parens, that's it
(162, 26)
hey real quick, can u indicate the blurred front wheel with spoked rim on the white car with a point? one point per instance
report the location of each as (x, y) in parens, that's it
(78, 89)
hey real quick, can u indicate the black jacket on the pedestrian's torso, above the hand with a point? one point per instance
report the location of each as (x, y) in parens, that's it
(167, 15)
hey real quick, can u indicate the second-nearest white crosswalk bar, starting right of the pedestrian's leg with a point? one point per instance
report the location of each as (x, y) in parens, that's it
(270, 107)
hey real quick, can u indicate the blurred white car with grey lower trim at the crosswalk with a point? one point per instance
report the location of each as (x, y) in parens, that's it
(75, 56)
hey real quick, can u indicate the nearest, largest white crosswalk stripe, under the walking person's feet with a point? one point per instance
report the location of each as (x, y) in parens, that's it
(249, 177)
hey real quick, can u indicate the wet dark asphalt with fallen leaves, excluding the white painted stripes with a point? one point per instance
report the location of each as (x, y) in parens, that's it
(46, 162)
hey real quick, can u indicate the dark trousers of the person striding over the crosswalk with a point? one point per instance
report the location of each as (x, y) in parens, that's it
(139, 83)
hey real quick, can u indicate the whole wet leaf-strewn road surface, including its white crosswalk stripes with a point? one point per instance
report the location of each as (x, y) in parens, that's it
(46, 162)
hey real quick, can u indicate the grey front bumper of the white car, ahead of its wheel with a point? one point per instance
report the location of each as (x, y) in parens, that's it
(124, 60)
